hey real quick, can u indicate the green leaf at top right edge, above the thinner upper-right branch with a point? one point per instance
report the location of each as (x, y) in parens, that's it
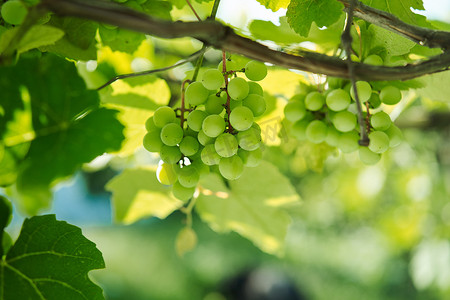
(401, 9)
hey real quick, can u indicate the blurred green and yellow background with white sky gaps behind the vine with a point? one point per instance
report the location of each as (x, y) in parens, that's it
(378, 232)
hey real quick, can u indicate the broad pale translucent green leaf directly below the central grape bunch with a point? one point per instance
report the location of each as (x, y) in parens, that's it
(251, 206)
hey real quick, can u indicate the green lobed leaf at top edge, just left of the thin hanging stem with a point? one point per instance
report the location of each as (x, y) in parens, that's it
(302, 13)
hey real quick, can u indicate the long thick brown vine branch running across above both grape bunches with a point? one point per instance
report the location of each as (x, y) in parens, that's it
(223, 37)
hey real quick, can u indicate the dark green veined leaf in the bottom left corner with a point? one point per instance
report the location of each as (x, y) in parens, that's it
(50, 260)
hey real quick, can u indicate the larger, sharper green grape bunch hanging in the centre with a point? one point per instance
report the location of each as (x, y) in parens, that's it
(216, 130)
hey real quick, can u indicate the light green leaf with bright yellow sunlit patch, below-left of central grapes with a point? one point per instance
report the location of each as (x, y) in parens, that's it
(137, 194)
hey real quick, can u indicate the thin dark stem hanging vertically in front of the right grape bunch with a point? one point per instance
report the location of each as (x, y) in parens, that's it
(347, 43)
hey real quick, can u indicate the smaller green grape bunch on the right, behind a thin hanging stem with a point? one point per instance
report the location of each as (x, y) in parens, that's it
(330, 116)
